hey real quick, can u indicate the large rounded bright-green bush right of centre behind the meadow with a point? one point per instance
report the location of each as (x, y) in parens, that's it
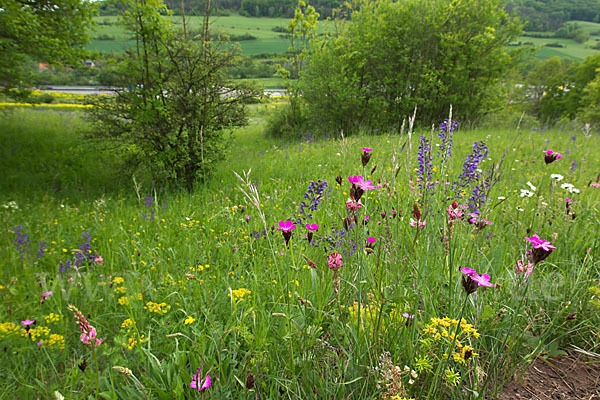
(393, 56)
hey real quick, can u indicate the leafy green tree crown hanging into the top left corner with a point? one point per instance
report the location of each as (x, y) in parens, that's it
(50, 31)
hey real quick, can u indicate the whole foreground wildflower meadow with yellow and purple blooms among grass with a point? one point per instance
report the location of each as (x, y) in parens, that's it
(180, 284)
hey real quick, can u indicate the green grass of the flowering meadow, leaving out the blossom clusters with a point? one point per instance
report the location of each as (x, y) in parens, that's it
(203, 228)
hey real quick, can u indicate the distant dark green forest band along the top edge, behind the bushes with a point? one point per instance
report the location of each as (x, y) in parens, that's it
(538, 15)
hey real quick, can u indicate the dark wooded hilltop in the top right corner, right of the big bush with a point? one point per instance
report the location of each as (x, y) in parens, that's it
(550, 15)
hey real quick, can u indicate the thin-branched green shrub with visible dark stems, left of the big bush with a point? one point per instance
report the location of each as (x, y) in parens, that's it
(178, 105)
